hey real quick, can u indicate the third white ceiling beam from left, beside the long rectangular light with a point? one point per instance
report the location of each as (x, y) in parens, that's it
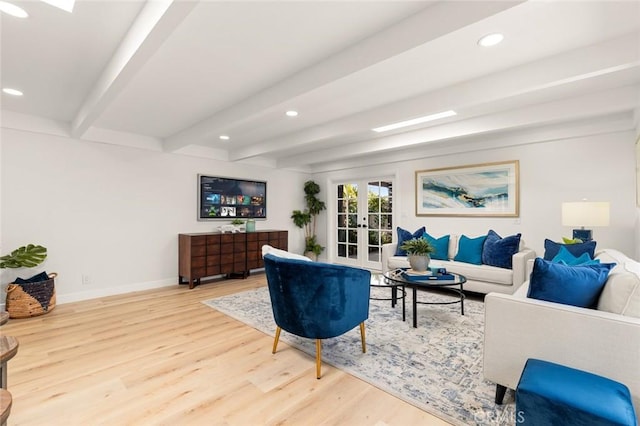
(613, 60)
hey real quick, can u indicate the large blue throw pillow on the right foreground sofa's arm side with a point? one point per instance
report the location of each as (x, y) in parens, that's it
(571, 285)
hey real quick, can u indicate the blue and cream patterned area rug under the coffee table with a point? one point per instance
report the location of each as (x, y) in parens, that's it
(437, 367)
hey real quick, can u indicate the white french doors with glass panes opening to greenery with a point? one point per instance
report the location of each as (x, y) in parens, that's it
(364, 216)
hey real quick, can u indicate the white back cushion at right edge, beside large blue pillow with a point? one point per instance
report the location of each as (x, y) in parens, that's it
(621, 293)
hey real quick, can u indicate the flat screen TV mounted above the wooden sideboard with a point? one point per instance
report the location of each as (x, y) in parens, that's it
(229, 198)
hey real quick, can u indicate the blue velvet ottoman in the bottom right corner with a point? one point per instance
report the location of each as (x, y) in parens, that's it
(552, 394)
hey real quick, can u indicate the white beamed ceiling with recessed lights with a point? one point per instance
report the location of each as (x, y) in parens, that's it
(174, 76)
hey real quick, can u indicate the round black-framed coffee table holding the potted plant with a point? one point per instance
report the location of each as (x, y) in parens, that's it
(454, 285)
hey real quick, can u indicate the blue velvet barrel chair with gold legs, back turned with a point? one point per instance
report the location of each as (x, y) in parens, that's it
(317, 300)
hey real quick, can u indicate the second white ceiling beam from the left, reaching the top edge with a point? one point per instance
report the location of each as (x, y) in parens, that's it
(430, 23)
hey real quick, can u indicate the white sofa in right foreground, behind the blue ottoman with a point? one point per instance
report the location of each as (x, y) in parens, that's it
(604, 341)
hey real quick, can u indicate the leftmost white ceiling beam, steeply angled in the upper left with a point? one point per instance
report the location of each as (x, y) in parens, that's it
(155, 22)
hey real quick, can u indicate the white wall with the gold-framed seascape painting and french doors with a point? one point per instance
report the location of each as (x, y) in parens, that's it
(598, 167)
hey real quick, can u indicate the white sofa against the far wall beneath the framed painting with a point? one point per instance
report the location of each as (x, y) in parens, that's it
(480, 278)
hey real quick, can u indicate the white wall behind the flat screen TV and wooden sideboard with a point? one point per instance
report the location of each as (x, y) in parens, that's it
(114, 213)
